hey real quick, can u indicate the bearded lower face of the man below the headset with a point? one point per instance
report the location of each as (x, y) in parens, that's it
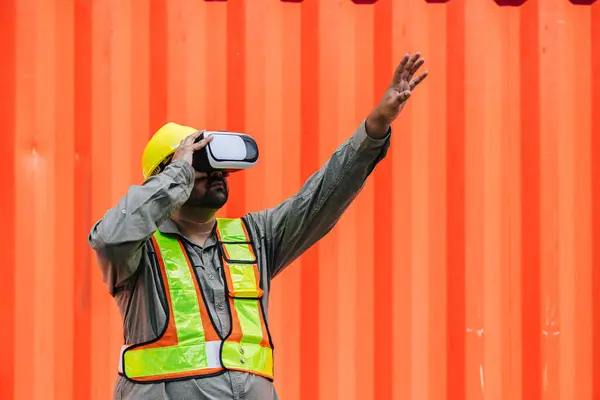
(210, 190)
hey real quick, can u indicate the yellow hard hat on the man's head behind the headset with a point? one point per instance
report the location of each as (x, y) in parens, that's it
(161, 147)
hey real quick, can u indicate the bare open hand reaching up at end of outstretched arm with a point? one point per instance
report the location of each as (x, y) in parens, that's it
(396, 96)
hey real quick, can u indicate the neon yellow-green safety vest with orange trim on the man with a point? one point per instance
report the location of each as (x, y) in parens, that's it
(189, 346)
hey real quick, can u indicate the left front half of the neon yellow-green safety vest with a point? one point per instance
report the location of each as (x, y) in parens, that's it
(187, 347)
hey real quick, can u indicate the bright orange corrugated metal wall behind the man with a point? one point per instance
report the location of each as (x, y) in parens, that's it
(466, 269)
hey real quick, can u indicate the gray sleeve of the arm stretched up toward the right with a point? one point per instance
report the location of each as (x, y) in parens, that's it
(300, 221)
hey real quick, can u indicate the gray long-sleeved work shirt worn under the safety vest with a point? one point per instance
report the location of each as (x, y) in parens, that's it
(282, 233)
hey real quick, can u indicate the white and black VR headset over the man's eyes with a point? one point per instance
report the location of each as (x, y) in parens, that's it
(228, 151)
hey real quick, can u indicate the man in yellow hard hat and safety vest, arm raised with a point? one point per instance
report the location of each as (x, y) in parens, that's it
(192, 289)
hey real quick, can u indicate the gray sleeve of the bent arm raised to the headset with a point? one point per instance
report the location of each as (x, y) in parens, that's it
(118, 238)
